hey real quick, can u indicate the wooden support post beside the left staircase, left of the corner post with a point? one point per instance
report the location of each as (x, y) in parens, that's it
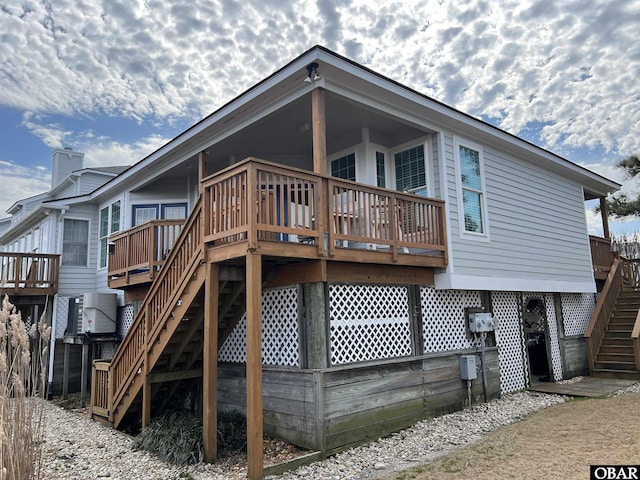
(210, 364)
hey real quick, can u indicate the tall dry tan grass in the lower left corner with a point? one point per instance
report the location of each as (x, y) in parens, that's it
(23, 365)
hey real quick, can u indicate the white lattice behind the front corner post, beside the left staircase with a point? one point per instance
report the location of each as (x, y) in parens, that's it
(280, 339)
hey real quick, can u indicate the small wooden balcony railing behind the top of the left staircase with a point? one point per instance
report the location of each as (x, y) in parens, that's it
(142, 249)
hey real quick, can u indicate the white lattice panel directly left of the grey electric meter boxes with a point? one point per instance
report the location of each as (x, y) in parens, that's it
(443, 319)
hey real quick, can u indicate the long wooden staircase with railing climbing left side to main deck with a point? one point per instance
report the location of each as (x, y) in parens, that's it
(163, 349)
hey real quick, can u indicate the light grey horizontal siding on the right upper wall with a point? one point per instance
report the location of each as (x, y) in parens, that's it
(538, 232)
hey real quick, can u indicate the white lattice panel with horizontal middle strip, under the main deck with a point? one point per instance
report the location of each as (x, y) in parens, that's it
(368, 322)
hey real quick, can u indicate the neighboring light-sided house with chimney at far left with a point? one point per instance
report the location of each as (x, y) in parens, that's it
(50, 250)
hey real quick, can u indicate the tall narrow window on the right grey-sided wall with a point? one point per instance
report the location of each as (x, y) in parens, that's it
(471, 183)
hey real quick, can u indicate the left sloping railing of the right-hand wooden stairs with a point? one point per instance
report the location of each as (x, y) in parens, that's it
(604, 308)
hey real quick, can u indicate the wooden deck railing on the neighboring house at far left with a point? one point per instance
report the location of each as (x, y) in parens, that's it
(29, 273)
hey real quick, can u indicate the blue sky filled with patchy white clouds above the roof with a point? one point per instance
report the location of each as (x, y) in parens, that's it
(118, 78)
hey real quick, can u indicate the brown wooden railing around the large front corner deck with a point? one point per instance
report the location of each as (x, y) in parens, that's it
(256, 200)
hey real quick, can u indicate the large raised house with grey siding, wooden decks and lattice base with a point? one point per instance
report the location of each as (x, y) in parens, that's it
(355, 255)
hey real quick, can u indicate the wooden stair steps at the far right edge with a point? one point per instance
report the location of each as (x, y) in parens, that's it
(616, 356)
